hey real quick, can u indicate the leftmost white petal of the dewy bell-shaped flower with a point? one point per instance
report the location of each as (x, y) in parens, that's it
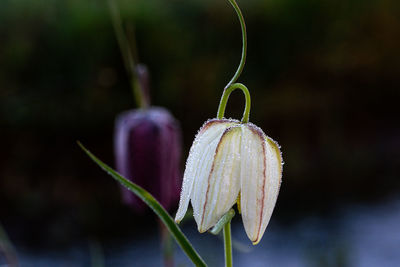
(198, 164)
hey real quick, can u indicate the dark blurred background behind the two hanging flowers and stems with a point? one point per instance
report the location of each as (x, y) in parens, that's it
(324, 78)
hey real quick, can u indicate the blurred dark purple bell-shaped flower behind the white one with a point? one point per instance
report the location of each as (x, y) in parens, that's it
(147, 144)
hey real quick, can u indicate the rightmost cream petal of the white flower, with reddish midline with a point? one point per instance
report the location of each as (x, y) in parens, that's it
(261, 173)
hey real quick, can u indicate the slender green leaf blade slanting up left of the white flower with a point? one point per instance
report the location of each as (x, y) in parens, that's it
(155, 206)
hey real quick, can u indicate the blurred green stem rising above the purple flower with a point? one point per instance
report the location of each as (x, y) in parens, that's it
(127, 56)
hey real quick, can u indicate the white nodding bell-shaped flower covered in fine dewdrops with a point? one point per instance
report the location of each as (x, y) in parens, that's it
(228, 158)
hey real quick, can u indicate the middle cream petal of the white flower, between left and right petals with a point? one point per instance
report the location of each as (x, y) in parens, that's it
(223, 181)
